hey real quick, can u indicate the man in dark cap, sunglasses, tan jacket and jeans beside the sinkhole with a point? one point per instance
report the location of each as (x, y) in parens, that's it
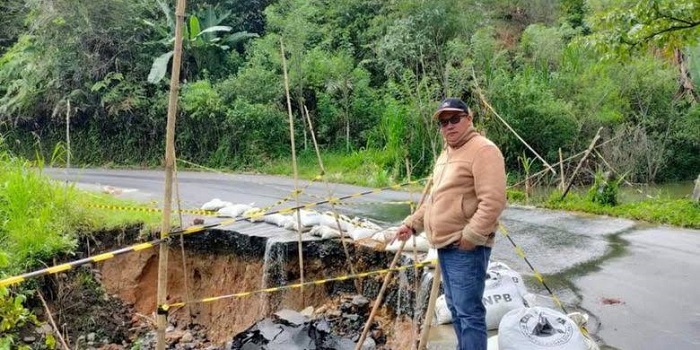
(460, 217)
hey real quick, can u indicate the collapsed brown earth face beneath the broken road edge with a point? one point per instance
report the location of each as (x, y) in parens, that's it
(220, 263)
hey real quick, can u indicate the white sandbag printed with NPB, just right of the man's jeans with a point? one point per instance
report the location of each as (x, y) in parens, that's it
(501, 295)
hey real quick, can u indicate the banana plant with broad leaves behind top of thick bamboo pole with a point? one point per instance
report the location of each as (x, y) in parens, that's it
(198, 43)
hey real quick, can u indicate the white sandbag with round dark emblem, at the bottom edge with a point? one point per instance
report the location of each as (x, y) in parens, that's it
(539, 328)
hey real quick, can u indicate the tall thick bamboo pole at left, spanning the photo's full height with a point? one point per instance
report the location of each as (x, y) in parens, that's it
(161, 315)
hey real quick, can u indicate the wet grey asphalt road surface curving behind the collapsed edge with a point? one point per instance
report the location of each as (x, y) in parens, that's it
(638, 281)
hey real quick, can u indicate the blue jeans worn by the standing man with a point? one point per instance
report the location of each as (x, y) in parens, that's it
(463, 278)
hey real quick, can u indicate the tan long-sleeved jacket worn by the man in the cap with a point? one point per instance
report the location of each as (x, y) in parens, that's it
(467, 196)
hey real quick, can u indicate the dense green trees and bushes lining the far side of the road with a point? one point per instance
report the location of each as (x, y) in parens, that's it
(370, 72)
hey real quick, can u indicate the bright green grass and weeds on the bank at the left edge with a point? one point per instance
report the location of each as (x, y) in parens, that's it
(40, 219)
